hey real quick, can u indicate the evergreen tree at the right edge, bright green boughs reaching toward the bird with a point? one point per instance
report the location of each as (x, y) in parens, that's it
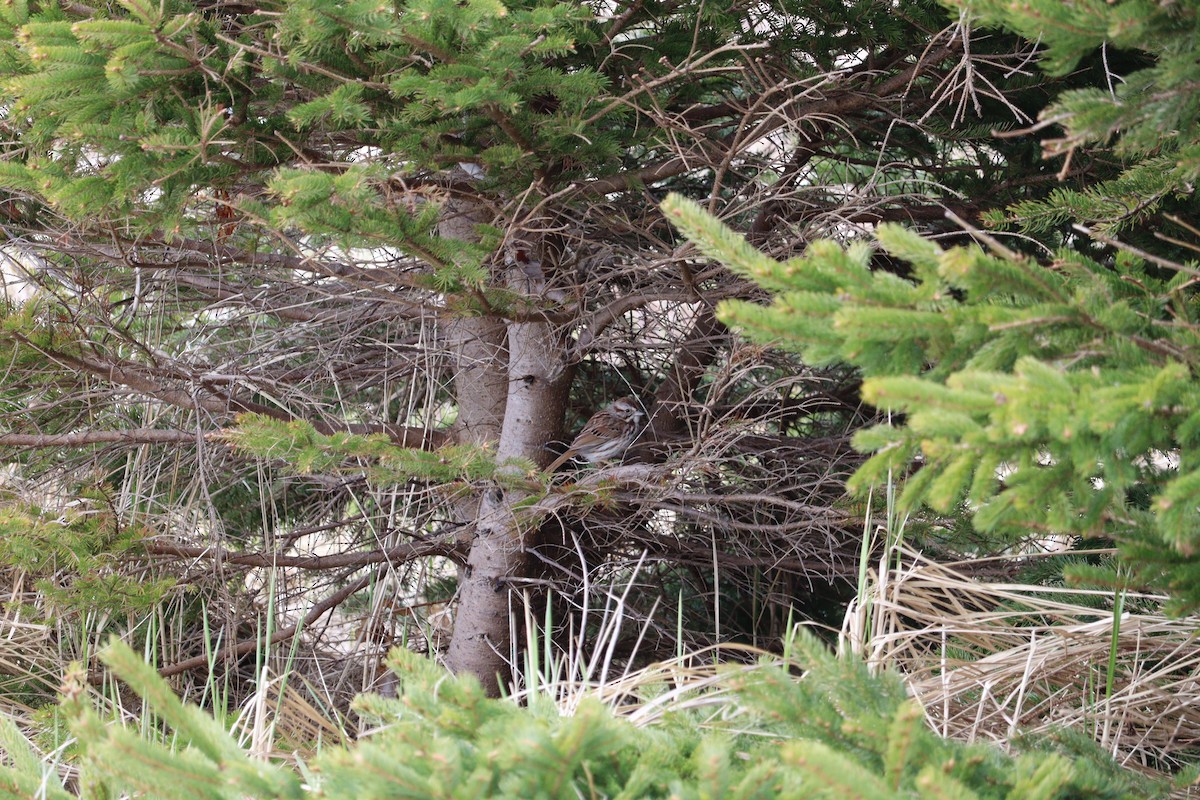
(1053, 394)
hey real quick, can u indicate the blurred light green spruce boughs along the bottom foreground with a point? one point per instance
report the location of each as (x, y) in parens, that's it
(837, 732)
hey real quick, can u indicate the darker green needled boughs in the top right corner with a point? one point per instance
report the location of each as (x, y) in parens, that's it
(1148, 113)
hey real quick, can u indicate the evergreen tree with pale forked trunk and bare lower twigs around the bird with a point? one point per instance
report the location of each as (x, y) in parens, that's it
(413, 244)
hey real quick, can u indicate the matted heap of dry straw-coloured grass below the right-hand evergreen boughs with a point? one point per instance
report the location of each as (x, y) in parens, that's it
(989, 660)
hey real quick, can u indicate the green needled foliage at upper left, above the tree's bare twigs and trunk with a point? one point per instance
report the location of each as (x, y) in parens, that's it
(142, 116)
